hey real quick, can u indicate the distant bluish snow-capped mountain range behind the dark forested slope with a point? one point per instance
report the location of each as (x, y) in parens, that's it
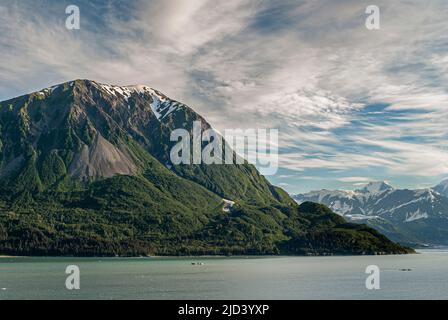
(411, 216)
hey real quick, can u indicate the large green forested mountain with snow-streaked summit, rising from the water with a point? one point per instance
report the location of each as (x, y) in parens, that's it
(85, 170)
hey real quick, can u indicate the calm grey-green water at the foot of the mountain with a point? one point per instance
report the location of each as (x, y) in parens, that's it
(426, 277)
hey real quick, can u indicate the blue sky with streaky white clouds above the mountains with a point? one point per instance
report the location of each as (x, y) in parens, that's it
(352, 105)
